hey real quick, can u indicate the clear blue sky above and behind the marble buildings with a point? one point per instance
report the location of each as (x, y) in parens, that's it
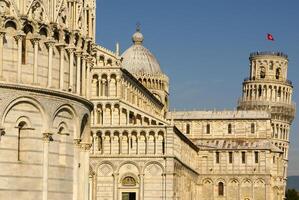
(203, 45)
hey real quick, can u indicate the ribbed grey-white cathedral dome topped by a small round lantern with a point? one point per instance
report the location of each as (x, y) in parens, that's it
(139, 60)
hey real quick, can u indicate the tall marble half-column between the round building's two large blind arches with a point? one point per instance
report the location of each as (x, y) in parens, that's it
(46, 138)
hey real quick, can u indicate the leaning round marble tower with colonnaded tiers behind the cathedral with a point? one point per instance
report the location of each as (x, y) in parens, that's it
(267, 88)
